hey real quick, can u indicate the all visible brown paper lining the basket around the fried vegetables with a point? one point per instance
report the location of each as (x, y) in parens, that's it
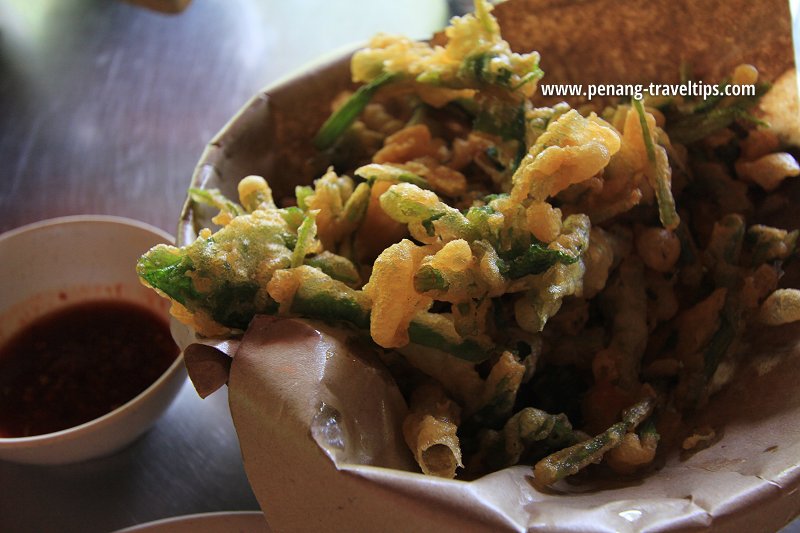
(319, 419)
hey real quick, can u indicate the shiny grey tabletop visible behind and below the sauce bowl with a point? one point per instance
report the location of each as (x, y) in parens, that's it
(105, 108)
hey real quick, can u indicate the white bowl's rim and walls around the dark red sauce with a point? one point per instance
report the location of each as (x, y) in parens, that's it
(83, 258)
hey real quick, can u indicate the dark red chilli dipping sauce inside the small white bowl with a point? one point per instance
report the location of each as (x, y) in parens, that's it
(79, 363)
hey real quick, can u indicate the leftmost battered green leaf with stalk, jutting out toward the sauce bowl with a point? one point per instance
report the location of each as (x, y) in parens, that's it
(257, 264)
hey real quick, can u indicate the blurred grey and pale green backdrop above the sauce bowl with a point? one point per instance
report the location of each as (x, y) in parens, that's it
(105, 106)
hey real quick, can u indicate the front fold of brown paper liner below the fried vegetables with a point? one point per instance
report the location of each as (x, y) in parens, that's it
(318, 423)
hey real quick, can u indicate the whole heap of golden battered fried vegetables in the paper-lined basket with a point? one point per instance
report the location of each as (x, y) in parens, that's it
(533, 274)
